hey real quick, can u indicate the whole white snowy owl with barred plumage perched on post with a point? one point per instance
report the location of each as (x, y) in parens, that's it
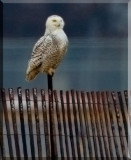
(49, 49)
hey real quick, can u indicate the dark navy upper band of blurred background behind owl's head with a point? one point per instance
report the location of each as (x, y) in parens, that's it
(86, 20)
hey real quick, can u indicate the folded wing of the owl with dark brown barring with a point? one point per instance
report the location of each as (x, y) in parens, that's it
(44, 46)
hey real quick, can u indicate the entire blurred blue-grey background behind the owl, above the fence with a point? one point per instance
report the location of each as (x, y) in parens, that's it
(97, 58)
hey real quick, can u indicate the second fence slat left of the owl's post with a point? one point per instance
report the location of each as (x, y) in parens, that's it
(37, 124)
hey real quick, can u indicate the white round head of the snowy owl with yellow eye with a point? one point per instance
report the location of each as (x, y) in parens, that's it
(54, 22)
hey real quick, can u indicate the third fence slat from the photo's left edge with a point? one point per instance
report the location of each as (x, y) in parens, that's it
(19, 92)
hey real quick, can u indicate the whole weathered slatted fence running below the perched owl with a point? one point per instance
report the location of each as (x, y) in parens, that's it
(85, 124)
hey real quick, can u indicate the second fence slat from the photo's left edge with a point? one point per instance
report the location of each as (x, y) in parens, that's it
(11, 96)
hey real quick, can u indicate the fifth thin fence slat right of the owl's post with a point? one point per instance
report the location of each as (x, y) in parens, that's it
(81, 126)
